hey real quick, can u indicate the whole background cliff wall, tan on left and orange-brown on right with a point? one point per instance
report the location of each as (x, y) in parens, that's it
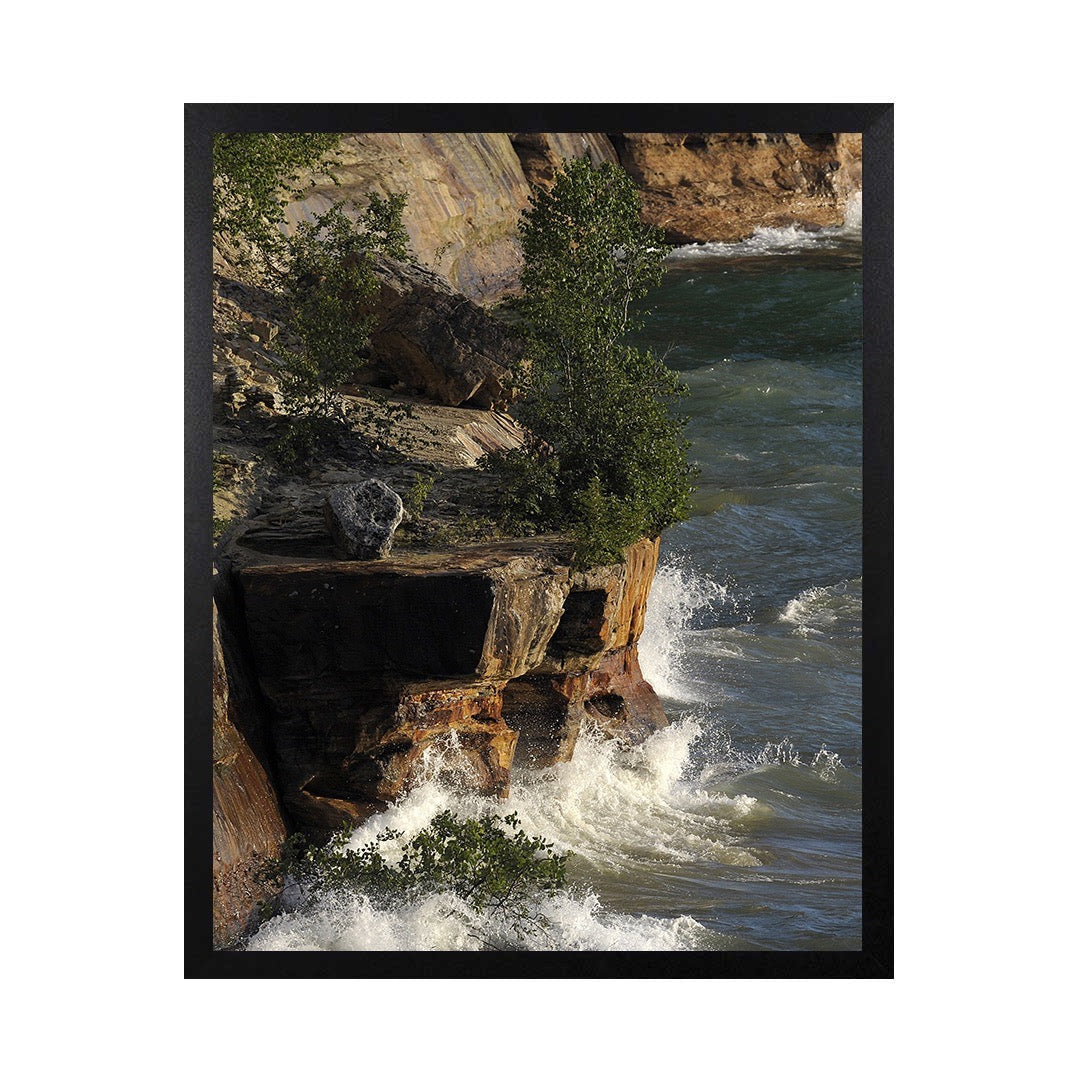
(467, 191)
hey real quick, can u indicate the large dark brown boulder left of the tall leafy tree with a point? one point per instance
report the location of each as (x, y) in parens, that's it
(439, 344)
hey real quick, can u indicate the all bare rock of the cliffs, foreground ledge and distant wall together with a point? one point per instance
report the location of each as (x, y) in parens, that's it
(347, 682)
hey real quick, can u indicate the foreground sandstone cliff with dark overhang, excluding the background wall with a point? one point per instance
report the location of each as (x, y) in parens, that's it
(339, 683)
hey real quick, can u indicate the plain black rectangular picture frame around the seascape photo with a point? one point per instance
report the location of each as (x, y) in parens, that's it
(875, 121)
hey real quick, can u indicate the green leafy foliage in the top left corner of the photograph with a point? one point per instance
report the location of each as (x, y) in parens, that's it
(256, 175)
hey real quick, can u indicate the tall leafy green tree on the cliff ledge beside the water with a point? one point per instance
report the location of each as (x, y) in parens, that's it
(607, 460)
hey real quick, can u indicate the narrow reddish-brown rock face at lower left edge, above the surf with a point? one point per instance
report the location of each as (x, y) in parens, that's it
(248, 820)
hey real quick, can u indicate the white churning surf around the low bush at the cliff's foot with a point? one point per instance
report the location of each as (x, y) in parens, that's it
(618, 809)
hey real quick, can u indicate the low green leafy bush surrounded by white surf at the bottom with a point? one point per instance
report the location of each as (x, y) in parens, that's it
(493, 870)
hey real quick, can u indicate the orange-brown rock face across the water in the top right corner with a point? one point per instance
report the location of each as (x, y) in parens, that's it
(723, 186)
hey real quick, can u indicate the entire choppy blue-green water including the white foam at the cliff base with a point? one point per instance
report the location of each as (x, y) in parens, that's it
(739, 827)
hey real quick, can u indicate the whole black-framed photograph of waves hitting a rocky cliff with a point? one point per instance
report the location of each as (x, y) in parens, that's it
(539, 559)
